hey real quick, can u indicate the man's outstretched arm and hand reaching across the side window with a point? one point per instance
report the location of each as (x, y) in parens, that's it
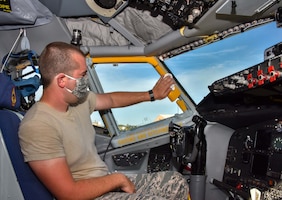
(122, 99)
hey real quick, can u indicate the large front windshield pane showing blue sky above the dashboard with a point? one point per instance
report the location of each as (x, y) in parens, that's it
(198, 69)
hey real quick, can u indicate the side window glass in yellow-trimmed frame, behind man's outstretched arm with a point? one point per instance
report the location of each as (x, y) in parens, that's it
(133, 77)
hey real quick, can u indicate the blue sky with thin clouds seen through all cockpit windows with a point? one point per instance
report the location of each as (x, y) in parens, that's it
(195, 70)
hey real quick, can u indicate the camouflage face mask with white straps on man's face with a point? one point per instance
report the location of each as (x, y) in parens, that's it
(81, 88)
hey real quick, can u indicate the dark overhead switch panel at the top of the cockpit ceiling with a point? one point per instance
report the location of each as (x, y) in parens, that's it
(175, 13)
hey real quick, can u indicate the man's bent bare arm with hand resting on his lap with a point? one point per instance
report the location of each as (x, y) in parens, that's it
(56, 176)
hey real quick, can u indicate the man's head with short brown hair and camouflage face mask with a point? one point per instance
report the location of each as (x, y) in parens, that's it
(63, 70)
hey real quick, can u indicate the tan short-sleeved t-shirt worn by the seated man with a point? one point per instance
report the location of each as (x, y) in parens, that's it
(46, 133)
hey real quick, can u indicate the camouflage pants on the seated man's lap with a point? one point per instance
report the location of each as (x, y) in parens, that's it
(155, 186)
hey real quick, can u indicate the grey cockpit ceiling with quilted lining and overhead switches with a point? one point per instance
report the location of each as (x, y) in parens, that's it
(163, 27)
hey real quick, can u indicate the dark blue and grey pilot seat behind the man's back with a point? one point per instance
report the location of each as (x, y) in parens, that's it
(12, 160)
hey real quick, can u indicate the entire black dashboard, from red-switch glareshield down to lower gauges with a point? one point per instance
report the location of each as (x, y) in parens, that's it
(249, 101)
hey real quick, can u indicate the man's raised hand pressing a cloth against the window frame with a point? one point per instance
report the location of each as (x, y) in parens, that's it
(163, 87)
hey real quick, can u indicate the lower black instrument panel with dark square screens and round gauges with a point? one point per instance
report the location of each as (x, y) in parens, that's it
(254, 156)
